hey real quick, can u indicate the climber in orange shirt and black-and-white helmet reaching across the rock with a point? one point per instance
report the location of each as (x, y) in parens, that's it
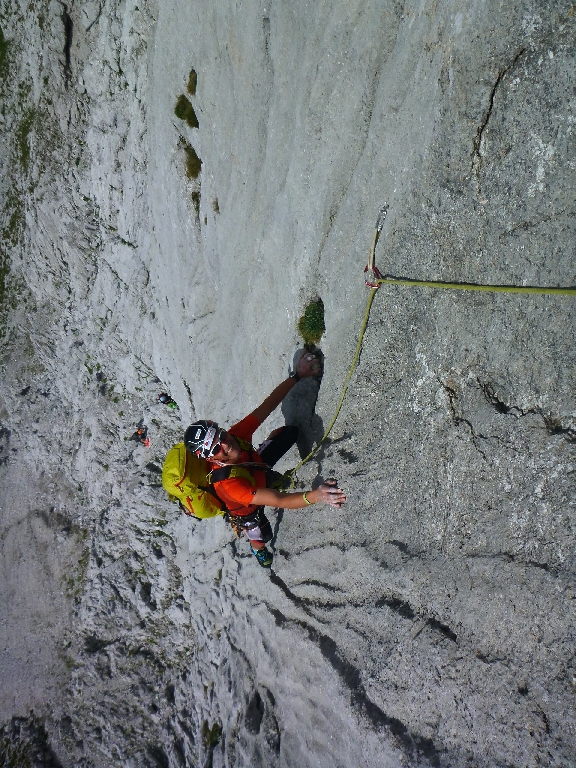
(242, 476)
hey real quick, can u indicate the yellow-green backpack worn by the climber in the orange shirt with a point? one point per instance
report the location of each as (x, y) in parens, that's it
(184, 479)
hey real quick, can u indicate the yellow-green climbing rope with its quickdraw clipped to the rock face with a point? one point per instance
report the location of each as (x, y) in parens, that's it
(374, 279)
